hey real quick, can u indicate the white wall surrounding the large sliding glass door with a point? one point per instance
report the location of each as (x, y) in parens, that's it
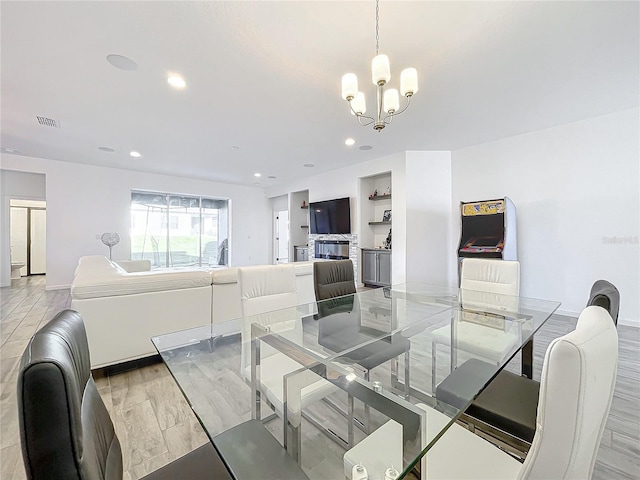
(83, 201)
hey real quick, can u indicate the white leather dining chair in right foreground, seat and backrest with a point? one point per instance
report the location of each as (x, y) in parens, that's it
(576, 390)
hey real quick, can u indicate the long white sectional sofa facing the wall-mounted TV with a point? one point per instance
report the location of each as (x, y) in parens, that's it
(124, 307)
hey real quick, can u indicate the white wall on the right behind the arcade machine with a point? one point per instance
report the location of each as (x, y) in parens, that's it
(576, 188)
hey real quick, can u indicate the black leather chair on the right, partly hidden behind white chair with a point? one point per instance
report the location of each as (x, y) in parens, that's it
(510, 402)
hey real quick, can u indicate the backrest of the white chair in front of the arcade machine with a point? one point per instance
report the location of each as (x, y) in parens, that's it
(490, 282)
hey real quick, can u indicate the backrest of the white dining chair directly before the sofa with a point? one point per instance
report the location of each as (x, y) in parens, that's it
(268, 293)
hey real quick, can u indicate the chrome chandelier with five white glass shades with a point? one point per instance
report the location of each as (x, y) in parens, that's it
(388, 101)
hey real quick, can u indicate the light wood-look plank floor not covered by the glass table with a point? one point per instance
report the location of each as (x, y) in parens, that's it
(155, 424)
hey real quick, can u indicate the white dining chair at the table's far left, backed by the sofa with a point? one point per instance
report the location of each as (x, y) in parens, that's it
(269, 297)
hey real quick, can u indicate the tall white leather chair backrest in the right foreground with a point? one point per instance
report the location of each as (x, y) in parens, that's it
(576, 389)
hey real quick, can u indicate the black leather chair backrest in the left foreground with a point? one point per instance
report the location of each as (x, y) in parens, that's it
(65, 428)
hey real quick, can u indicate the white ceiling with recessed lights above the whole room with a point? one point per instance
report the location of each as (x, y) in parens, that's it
(265, 77)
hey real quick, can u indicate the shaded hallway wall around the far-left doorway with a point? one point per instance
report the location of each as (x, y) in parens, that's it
(15, 184)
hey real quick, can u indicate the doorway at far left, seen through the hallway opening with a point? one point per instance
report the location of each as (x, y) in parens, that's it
(28, 228)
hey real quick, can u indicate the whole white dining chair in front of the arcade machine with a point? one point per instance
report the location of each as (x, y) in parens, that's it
(484, 284)
